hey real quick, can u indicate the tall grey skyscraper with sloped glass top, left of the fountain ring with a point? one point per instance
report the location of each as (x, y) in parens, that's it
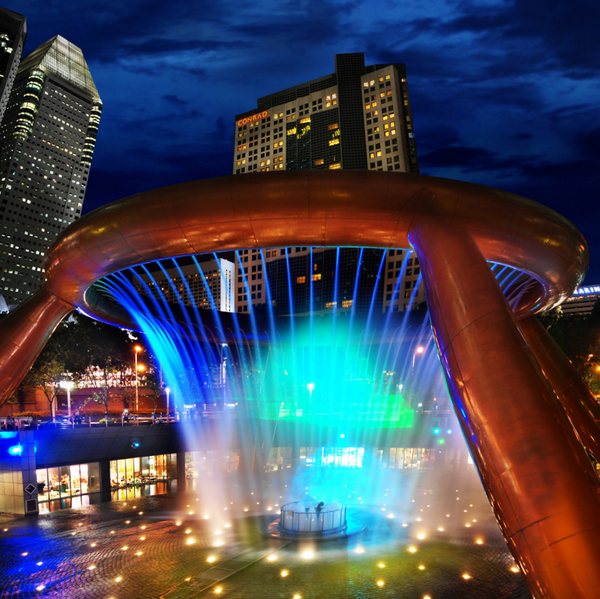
(47, 140)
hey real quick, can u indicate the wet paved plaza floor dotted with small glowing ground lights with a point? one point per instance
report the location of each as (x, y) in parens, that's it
(163, 547)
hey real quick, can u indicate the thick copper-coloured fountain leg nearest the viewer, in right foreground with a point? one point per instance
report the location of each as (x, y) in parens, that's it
(535, 471)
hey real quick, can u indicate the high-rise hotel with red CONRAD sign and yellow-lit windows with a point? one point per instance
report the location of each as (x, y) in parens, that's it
(356, 118)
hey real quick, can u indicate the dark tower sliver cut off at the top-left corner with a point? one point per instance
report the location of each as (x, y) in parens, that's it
(13, 33)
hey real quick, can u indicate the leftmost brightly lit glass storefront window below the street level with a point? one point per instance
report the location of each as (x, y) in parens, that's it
(68, 486)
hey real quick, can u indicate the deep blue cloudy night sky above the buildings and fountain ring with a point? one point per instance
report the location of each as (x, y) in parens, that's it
(503, 93)
